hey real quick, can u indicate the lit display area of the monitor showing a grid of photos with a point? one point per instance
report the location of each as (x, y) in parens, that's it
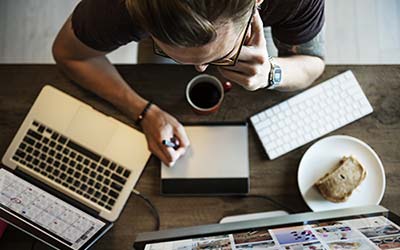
(366, 231)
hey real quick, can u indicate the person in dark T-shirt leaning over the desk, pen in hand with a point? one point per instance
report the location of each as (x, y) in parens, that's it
(225, 33)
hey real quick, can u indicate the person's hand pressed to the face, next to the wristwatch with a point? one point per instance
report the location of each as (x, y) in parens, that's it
(252, 68)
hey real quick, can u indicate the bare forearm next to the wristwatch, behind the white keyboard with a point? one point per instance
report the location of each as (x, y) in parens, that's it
(299, 71)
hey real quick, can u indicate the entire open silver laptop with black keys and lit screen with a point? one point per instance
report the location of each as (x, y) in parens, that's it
(69, 171)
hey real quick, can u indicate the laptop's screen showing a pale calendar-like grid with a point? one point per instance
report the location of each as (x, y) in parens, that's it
(45, 216)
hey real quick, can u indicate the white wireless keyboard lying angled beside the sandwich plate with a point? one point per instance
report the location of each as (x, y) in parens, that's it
(311, 114)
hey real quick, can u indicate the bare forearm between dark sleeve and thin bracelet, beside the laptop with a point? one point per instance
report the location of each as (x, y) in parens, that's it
(100, 76)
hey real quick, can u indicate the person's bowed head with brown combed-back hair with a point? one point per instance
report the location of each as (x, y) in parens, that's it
(195, 32)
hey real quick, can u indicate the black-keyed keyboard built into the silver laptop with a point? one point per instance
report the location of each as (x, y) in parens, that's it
(63, 161)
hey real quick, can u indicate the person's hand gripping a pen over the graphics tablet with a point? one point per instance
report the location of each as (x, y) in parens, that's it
(158, 126)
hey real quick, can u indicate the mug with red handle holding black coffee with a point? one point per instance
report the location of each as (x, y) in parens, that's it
(205, 93)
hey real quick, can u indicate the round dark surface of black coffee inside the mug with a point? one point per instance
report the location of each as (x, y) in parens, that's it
(204, 95)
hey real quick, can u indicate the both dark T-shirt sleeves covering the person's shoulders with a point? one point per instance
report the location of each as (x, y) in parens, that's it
(106, 24)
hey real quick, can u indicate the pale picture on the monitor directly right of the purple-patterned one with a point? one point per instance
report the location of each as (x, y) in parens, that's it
(335, 233)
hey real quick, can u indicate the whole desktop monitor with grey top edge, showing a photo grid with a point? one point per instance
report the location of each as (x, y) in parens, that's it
(372, 227)
